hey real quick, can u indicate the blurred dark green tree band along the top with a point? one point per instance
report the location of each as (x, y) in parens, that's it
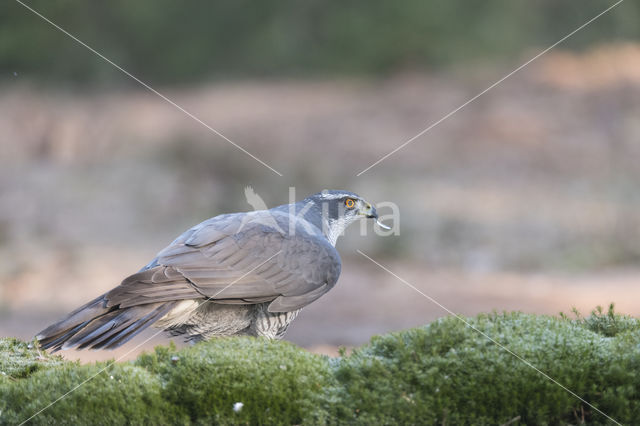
(172, 42)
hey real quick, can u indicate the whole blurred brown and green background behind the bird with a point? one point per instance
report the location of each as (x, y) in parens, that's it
(527, 199)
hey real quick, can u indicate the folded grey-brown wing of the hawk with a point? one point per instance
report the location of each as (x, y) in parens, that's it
(231, 260)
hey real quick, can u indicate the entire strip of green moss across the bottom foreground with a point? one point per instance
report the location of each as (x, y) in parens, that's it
(447, 372)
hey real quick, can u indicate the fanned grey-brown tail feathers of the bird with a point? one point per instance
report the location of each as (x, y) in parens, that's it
(97, 326)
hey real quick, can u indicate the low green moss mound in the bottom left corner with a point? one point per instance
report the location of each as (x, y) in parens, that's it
(90, 394)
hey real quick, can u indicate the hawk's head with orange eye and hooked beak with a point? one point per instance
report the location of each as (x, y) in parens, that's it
(339, 209)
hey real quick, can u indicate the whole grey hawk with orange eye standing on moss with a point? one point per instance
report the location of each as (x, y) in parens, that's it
(235, 274)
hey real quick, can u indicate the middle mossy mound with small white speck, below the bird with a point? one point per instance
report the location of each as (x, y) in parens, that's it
(277, 382)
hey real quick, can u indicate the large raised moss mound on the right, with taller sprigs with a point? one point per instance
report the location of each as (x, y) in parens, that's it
(447, 372)
